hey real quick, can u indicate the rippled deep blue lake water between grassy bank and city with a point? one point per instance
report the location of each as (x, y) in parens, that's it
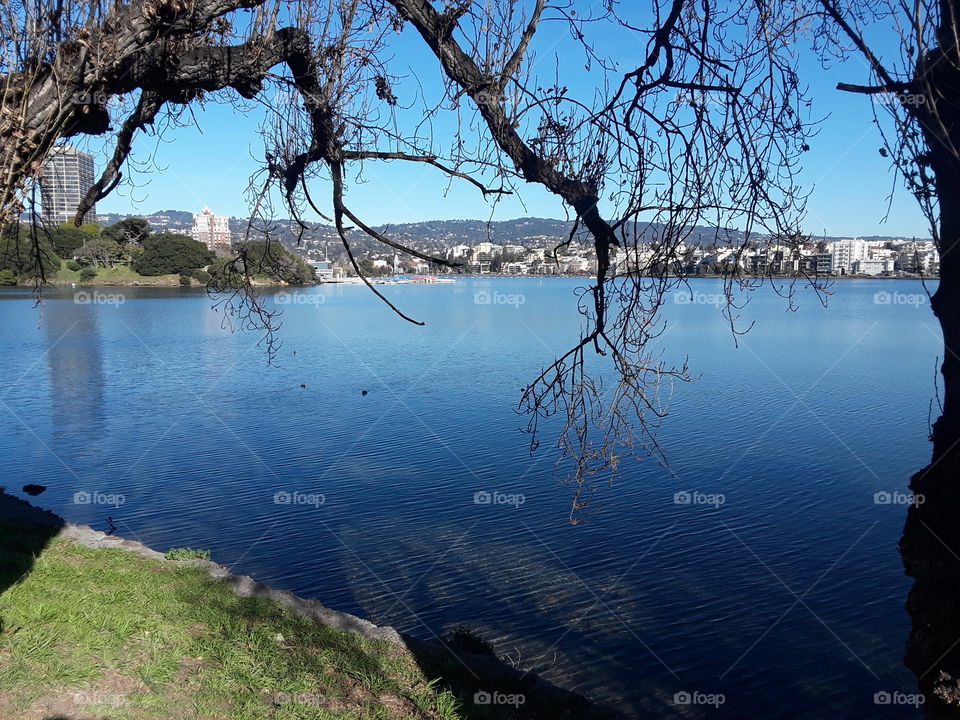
(787, 599)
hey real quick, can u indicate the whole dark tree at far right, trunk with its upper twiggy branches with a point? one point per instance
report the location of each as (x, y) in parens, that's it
(916, 107)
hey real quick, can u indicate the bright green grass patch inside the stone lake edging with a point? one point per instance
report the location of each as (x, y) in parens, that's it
(110, 633)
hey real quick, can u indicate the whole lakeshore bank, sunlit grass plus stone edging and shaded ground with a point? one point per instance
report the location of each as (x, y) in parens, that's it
(94, 627)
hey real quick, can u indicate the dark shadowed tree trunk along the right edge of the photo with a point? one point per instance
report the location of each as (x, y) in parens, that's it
(930, 545)
